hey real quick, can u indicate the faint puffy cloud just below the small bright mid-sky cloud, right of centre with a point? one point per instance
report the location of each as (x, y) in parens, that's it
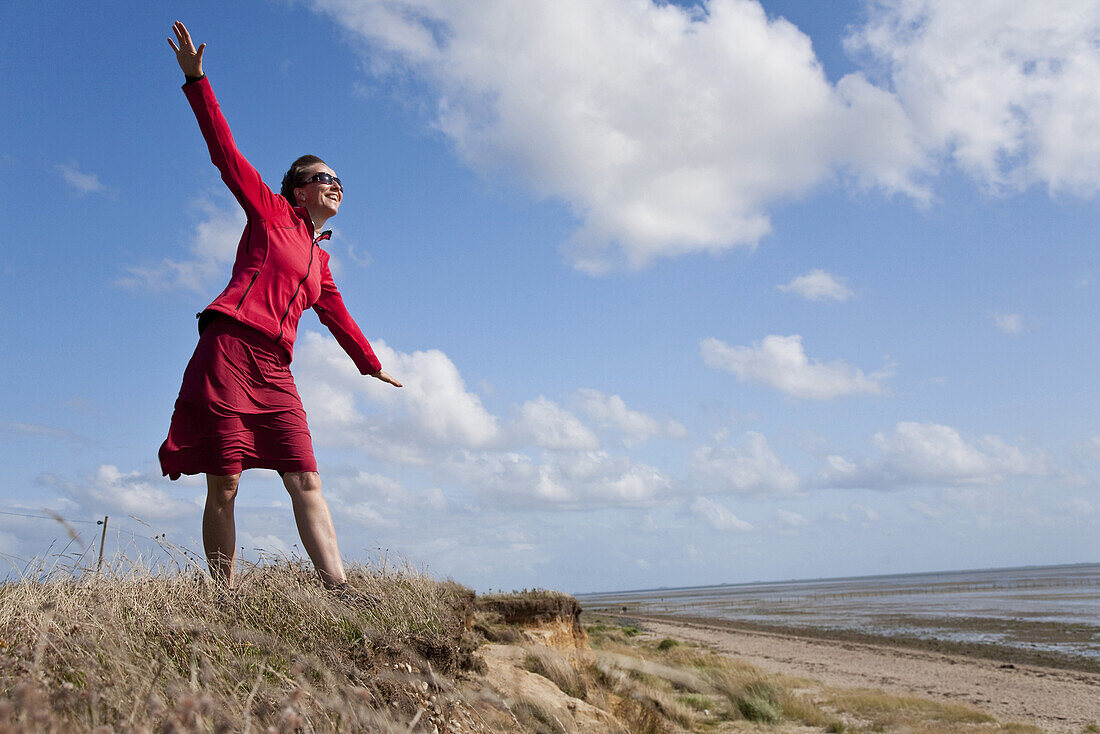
(750, 470)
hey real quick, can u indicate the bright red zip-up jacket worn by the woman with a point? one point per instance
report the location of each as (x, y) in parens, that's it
(280, 269)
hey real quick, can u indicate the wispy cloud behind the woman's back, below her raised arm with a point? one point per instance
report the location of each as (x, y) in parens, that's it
(213, 249)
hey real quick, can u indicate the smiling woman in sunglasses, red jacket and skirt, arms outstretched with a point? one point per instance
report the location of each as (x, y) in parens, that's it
(238, 408)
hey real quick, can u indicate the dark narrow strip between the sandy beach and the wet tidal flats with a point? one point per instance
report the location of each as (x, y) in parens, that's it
(1002, 654)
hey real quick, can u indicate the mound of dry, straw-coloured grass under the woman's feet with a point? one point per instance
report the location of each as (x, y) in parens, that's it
(137, 651)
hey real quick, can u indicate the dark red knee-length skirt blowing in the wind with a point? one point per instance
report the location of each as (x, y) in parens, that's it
(238, 409)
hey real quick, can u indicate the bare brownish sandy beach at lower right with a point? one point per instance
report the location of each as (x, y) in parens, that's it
(1053, 699)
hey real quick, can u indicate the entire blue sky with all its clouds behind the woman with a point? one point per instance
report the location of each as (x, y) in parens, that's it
(681, 294)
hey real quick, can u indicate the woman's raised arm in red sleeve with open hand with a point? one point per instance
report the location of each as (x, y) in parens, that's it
(241, 179)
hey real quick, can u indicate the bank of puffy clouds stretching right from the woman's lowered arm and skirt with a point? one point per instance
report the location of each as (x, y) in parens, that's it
(545, 456)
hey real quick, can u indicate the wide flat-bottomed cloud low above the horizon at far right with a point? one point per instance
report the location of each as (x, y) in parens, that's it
(932, 455)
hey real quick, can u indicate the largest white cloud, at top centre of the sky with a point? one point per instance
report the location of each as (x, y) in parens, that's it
(667, 130)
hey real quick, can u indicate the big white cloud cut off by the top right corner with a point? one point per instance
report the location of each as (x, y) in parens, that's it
(1007, 89)
